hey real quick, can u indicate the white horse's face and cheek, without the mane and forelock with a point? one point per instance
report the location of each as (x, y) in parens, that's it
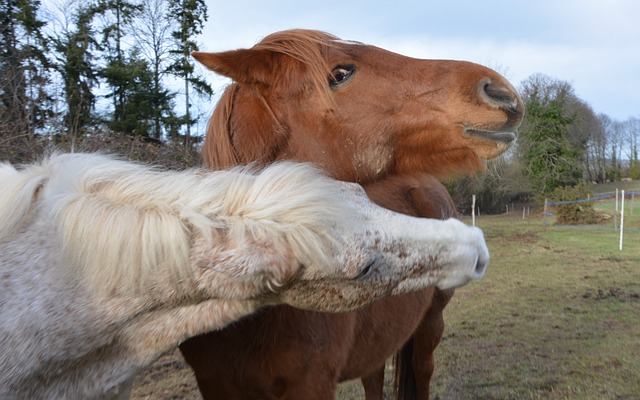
(363, 254)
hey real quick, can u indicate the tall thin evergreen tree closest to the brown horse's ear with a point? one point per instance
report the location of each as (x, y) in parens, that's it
(190, 16)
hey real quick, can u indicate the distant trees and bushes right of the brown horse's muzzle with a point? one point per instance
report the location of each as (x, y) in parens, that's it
(562, 143)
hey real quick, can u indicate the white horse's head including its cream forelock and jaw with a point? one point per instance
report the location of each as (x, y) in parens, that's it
(312, 242)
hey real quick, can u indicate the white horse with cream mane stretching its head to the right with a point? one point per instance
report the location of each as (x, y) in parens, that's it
(106, 264)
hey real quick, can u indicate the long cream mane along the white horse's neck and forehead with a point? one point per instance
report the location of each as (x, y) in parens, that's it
(123, 223)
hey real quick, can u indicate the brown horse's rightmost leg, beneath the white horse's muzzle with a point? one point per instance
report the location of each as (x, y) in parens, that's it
(425, 340)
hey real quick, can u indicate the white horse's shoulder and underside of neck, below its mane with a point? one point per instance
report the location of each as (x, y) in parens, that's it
(117, 337)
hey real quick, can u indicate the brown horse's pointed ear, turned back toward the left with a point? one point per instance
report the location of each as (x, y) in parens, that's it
(243, 65)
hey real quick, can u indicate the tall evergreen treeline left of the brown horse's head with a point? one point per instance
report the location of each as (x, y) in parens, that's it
(81, 69)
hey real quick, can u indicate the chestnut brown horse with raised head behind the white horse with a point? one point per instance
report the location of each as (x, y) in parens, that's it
(366, 115)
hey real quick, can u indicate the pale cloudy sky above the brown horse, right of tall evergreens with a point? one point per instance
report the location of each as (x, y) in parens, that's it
(594, 45)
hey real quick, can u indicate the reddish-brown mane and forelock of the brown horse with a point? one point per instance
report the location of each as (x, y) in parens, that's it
(305, 46)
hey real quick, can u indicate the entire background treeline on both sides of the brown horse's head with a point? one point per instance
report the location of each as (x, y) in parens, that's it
(117, 75)
